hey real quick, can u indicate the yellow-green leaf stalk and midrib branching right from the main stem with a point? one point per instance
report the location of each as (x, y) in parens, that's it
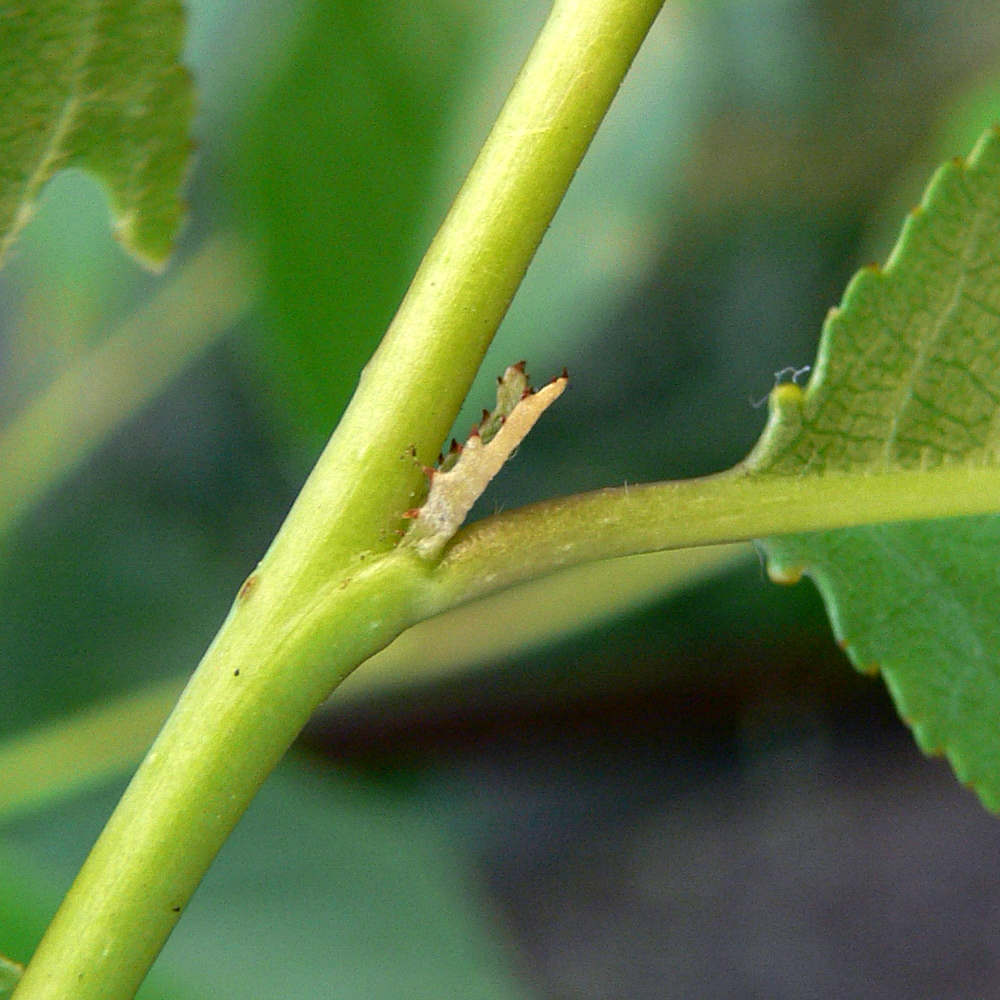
(522, 544)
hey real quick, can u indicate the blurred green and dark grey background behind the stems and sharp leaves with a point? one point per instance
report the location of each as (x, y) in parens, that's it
(698, 799)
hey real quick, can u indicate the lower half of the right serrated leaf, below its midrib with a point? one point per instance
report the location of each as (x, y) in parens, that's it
(918, 602)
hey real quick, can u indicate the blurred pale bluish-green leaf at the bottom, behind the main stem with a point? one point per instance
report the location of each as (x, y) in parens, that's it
(329, 888)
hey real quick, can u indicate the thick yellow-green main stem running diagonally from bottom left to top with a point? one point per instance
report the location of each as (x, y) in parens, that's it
(333, 589)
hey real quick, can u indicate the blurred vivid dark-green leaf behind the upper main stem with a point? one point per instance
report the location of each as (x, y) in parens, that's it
(336, 168)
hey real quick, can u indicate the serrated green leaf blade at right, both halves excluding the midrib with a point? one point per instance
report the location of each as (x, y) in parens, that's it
(908, 377)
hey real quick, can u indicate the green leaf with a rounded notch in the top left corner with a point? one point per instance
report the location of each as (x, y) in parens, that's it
(96, 84)
